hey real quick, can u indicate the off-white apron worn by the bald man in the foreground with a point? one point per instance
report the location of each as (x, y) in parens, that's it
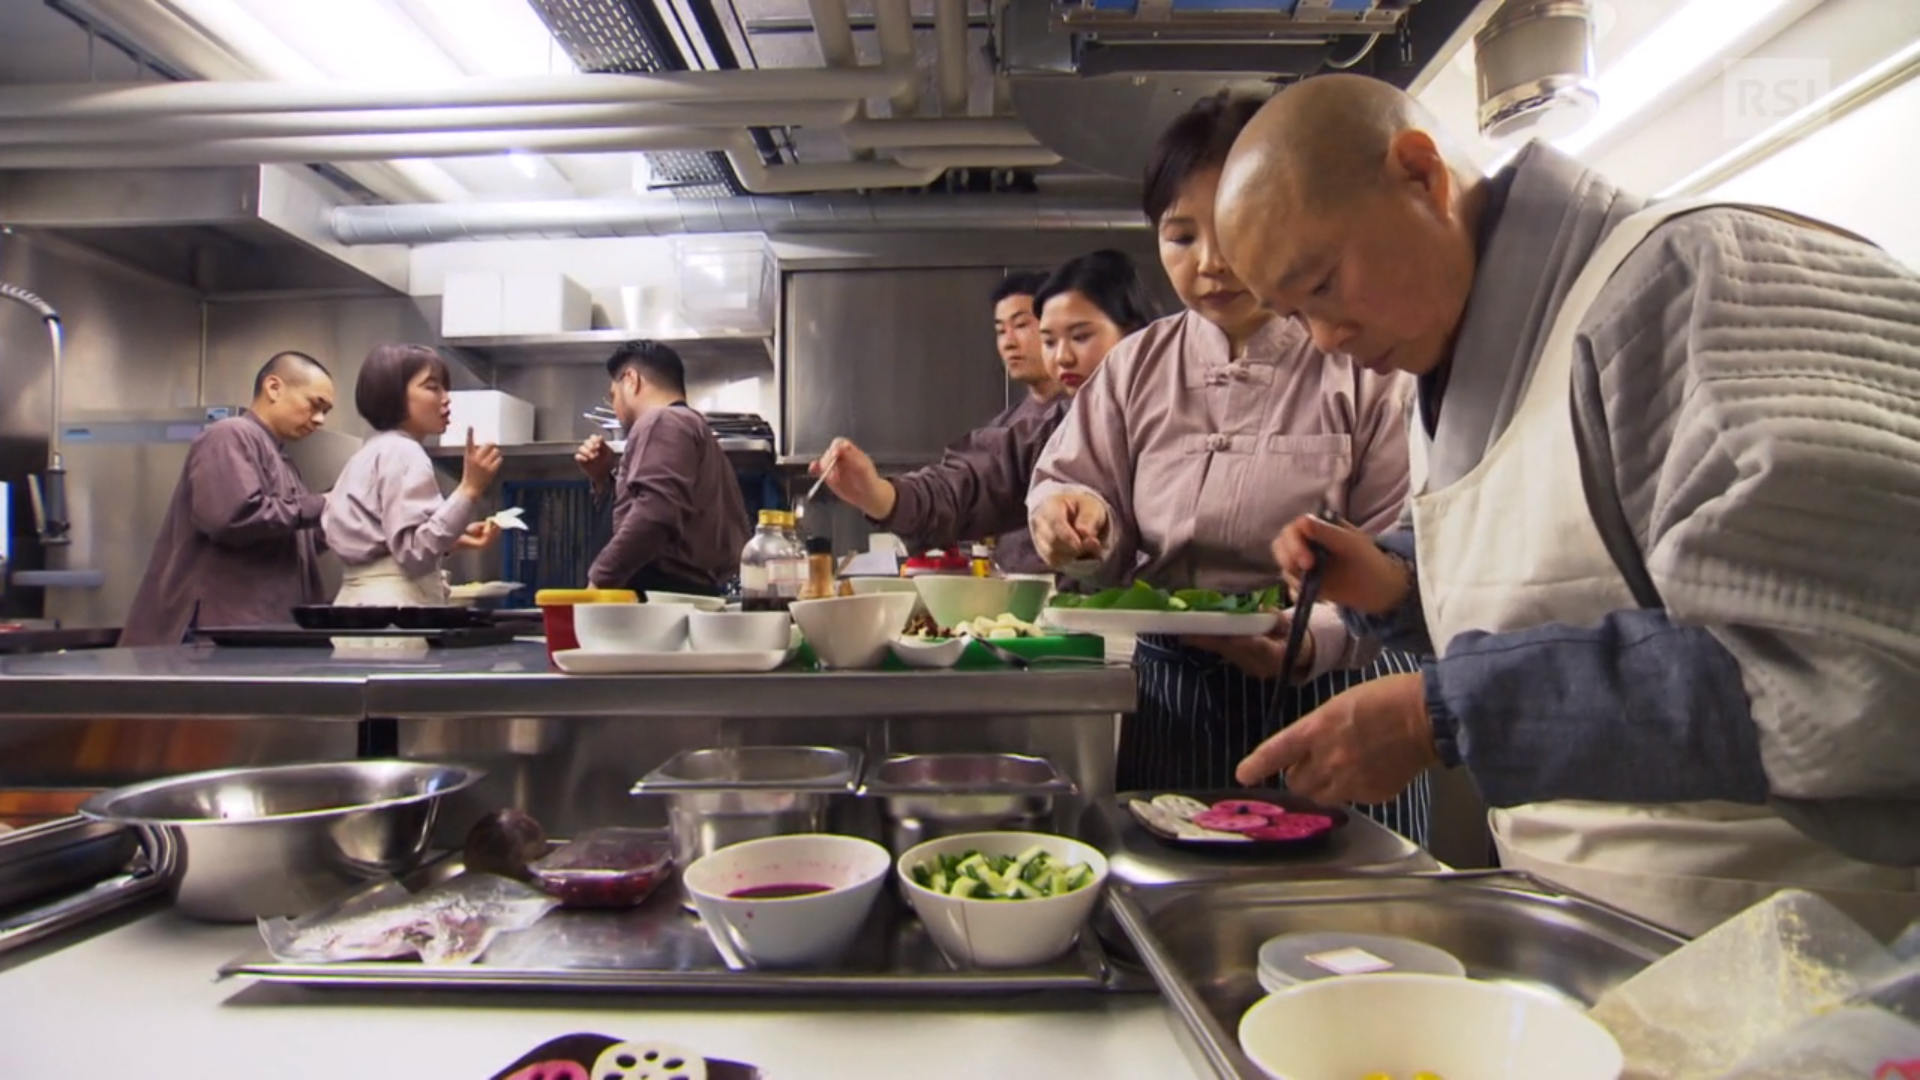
(1512, 547)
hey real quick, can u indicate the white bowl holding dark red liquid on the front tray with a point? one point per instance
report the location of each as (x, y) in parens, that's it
(792, 931)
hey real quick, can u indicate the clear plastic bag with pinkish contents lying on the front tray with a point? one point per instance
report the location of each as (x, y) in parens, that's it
(450, 923)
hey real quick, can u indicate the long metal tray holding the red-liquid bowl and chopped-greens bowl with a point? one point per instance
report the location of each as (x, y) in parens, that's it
(660, 948)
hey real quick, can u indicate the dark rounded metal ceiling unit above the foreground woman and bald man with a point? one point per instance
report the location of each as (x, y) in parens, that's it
(1151, 61)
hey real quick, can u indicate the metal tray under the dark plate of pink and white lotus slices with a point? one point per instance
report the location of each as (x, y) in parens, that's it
(1136, 856)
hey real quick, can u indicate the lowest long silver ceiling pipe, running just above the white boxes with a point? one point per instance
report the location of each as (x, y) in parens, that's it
(431, 224)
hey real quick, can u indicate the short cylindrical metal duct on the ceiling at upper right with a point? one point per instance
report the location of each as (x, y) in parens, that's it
(1535, 66)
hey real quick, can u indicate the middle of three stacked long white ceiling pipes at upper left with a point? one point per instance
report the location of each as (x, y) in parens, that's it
(208, 128)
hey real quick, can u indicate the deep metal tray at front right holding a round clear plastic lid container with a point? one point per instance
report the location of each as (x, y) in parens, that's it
(1201, 943)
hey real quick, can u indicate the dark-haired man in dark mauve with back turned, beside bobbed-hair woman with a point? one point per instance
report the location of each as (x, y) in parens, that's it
(679, 518)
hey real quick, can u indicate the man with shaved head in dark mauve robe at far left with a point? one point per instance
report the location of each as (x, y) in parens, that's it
(241, 543)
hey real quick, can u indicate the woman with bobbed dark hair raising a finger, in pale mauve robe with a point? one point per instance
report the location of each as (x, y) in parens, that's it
(387, 518)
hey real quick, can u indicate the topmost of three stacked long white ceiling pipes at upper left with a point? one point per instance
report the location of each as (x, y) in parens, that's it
(130, 101)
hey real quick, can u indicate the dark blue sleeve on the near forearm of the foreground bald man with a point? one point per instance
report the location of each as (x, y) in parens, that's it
(1629, 710)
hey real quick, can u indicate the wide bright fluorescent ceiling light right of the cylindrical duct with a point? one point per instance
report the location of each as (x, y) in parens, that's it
(1673, 53)
